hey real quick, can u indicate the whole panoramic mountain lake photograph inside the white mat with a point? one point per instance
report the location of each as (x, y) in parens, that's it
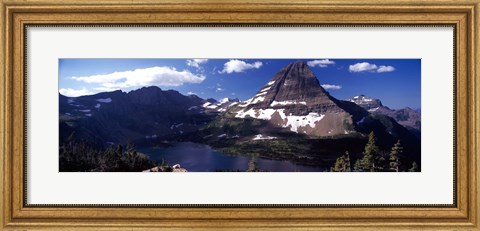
(239, 115)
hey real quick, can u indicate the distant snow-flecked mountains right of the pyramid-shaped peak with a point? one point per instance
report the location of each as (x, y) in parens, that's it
(409, 118)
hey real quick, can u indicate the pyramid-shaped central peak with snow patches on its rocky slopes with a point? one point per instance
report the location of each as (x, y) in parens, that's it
(293, 99)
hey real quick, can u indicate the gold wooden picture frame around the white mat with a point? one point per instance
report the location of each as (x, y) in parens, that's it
(464, 15)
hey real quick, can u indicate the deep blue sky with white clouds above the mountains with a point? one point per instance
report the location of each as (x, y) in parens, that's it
(397, 82)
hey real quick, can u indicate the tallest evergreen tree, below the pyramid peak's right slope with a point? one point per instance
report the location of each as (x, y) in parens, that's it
(372, 160)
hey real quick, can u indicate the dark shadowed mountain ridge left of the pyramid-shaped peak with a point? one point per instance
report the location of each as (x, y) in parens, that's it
(140, 115)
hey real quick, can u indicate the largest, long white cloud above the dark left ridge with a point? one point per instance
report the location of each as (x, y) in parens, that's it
(158, 76)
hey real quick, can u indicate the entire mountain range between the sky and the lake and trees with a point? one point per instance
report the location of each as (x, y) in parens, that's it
(300, 120)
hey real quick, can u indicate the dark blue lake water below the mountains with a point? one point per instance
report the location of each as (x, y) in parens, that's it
(202, 158)
